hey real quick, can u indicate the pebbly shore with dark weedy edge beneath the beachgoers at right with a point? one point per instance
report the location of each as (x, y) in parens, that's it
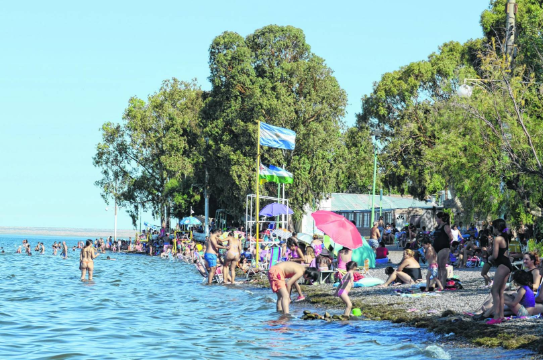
(441, 313)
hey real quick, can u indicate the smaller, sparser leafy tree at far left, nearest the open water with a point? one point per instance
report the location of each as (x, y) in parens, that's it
(154, 152)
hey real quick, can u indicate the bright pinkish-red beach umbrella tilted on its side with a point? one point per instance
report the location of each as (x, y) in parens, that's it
(339, 228)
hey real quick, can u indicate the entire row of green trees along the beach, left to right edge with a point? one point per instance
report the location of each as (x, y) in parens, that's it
(485, 149)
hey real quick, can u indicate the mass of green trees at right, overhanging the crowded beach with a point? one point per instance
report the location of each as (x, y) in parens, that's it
(486, 148)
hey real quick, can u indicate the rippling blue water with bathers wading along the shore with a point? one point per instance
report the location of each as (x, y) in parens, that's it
(142, 307)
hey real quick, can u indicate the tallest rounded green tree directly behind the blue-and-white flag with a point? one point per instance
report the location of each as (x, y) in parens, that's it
(272, 76)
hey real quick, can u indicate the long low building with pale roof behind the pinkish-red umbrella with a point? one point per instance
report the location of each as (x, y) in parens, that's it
(395, 209)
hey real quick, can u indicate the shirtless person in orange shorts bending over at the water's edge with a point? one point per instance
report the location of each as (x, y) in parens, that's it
(288, 270)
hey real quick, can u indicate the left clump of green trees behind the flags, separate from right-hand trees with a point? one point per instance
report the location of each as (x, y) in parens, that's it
(157, 158)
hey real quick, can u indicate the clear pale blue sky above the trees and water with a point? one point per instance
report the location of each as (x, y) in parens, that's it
(67, 67)
